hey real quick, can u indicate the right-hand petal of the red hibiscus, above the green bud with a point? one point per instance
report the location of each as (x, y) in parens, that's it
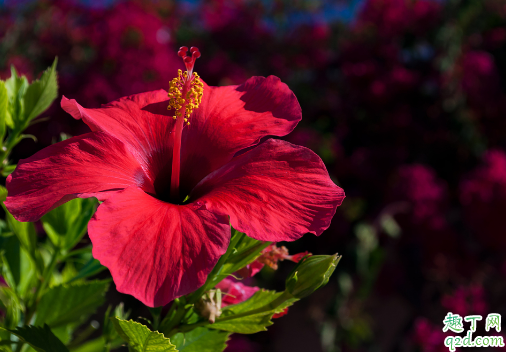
(274, 192)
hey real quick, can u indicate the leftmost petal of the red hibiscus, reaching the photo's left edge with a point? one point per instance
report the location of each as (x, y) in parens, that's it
(92, 164)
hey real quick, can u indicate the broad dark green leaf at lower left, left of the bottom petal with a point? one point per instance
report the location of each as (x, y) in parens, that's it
(68, 303)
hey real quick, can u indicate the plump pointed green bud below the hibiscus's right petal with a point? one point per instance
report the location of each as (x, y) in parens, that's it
(310, 274)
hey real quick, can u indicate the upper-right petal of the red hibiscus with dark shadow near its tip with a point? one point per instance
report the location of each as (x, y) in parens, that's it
(232, 118)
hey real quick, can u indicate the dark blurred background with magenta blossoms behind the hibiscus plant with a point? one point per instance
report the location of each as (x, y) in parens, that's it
(404, 100)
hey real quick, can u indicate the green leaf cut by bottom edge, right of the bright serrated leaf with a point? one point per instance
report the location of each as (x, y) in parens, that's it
(201, 340)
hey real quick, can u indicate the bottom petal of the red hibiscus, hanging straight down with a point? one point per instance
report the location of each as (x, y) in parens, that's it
(156, 251)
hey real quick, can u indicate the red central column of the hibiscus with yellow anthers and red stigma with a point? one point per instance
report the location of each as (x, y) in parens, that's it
(185, 93)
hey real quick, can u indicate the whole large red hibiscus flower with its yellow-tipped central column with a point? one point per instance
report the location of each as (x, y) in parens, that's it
(171, 190)
